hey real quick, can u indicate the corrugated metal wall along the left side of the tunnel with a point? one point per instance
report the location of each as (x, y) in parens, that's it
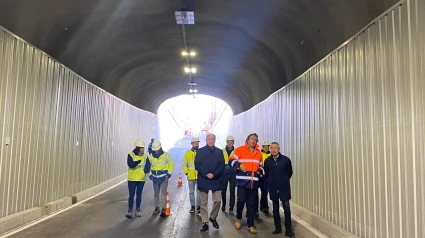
(66, 135)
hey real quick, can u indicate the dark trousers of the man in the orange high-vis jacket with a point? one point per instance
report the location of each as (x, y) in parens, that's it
(246, 195)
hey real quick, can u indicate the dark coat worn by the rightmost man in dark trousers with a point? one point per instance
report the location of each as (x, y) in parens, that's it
(278, 174)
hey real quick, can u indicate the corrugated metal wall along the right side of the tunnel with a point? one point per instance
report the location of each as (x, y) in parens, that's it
(354, 128)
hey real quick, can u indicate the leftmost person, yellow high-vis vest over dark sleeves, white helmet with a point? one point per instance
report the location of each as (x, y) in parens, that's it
(138, 166)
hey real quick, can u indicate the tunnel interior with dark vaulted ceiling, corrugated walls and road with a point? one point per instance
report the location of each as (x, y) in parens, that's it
(340, 85)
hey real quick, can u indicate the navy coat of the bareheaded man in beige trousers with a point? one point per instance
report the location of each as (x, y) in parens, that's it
(209, 160)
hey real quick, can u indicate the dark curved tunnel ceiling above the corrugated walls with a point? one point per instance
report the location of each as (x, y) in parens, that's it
(247, 49)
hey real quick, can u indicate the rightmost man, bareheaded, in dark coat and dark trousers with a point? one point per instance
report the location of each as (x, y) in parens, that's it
(278, 172)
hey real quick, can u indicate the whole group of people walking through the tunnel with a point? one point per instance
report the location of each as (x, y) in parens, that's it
(243, 170)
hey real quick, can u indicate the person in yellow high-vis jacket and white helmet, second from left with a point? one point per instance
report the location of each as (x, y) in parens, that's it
(162, 166)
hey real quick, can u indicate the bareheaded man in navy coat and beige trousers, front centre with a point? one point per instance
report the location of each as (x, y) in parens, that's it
(209, 162)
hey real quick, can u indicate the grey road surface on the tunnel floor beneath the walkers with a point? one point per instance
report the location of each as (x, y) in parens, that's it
(104, 215)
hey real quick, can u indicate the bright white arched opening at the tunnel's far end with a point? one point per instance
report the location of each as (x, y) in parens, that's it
(198, 116)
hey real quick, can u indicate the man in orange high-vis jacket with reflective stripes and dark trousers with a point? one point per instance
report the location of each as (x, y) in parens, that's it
(248, 161)
